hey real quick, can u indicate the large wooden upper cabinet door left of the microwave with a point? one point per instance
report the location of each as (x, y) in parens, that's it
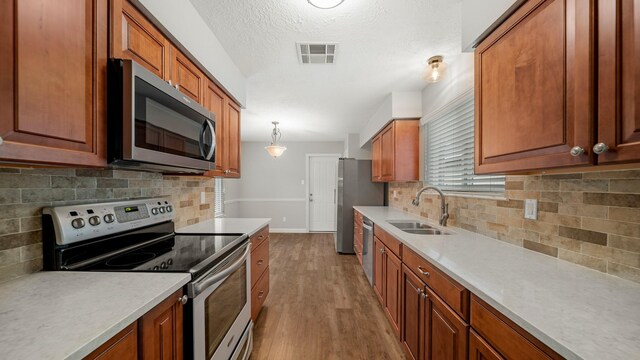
(54, 57)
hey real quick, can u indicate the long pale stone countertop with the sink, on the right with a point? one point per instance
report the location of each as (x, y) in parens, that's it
(578, 312)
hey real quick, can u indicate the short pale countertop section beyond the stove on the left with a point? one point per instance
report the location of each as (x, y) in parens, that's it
(247, 226)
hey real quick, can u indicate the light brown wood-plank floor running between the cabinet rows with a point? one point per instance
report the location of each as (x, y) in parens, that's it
(320, 305)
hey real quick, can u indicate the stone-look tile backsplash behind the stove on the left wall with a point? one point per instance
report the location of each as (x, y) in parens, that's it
(24, 192)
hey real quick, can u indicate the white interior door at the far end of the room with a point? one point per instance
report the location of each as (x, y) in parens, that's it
(322, 192)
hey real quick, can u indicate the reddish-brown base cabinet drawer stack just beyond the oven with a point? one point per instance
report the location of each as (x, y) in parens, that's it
(259, 270)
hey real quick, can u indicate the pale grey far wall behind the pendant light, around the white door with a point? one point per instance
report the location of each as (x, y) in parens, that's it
(274, 188)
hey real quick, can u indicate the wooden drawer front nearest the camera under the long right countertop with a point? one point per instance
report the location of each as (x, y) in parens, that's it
(511, 341)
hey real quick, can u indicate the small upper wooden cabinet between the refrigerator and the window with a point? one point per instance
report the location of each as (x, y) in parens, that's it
(395, 152)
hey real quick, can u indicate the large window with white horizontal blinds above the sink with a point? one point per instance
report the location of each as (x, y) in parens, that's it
(449, 150)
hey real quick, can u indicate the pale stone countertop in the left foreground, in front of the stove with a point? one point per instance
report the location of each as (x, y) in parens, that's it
(67, 315)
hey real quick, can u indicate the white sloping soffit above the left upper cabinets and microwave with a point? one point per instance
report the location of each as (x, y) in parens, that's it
(185, 24)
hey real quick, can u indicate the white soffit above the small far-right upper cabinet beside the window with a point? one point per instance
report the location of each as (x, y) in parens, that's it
(397, 105)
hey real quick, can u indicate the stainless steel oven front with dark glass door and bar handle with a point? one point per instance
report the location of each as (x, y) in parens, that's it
(222, 307)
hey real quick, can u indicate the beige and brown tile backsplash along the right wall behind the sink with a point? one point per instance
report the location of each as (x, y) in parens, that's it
(591, 219)
